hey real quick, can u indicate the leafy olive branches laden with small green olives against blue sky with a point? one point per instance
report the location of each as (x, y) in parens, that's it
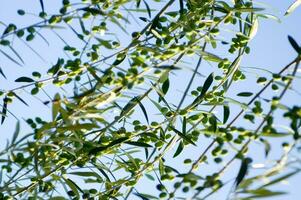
(104, 139)
